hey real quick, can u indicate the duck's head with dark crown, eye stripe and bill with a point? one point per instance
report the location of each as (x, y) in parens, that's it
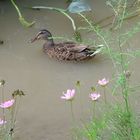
(43, 35)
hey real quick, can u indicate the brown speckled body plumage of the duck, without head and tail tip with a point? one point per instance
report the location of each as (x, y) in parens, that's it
(67, 51)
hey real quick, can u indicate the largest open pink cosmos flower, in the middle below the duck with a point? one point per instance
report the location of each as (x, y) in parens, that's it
(69, 95)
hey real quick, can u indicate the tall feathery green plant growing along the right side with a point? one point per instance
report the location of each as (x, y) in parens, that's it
(118, 121)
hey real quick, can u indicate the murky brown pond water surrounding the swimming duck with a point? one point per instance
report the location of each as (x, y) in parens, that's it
(43, 115)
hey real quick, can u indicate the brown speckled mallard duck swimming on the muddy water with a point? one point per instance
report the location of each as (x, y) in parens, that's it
(65, 50)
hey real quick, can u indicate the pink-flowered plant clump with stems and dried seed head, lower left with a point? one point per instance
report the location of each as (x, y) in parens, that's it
(9, 113)
